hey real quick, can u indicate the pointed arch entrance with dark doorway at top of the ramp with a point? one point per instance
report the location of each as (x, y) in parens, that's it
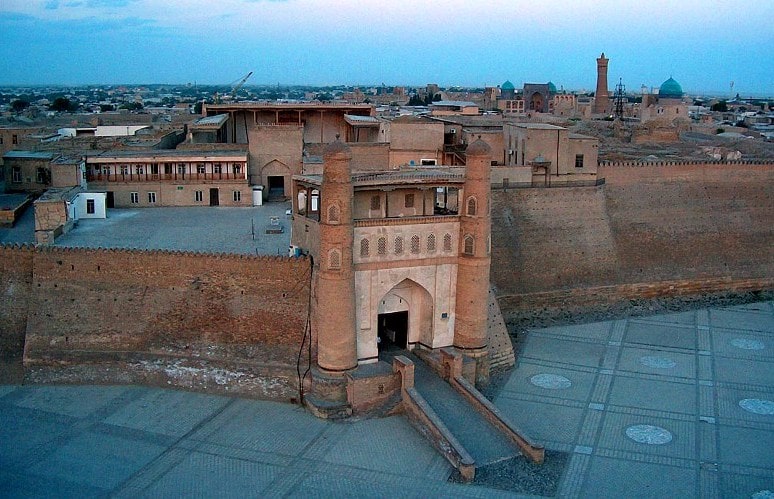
(405, 317)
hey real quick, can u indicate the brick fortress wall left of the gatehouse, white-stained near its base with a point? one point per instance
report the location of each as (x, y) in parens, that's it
(185, 319)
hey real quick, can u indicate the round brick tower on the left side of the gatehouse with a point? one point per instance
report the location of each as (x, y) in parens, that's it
(334, 293)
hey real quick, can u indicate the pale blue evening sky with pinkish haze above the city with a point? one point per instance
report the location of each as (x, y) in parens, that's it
(703, 44)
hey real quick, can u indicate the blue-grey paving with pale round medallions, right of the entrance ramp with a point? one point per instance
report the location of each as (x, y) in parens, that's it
(677, 405)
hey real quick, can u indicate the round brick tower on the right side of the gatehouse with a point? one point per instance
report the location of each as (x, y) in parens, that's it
(470, 329)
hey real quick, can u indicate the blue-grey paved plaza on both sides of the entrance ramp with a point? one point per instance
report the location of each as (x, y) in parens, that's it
(678, 405)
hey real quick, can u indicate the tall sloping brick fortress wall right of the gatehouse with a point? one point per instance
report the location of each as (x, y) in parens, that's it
(650, 230)
